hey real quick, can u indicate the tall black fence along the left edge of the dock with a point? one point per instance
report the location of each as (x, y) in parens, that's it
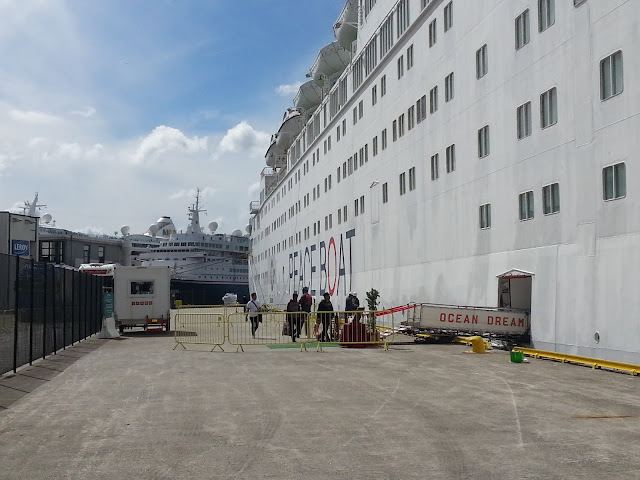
(44, 308)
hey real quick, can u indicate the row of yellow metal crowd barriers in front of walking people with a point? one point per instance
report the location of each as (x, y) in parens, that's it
(212, 326)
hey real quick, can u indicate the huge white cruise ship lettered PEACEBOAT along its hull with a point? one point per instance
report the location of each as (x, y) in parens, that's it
(466, 153)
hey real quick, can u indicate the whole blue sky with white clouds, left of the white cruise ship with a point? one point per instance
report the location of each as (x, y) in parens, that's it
(115, 111)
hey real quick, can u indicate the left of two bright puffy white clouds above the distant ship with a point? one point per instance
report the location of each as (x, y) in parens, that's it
(165, 139)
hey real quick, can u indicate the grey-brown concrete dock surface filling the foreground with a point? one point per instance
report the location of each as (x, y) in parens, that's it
(136, 408)
